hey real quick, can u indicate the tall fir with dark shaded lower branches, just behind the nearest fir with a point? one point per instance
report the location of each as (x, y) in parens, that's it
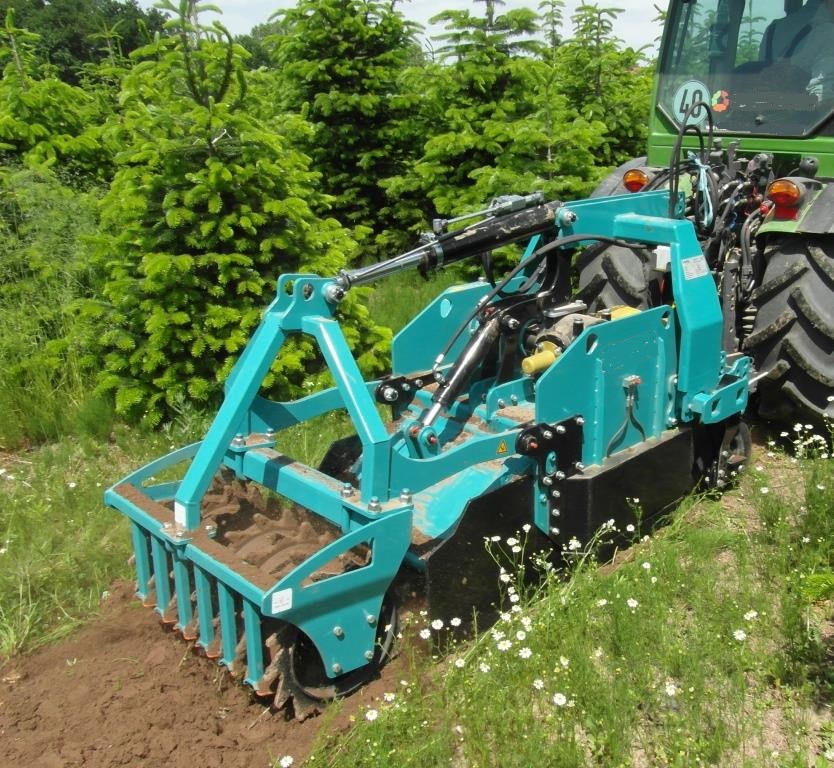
(341, 62)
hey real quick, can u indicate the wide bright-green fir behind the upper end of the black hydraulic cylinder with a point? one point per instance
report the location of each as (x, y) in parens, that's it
(499, 118)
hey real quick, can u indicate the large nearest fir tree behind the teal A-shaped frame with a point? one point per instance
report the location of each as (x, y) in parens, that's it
(208, 206)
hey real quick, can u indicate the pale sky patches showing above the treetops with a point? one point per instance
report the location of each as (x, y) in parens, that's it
(635, 23)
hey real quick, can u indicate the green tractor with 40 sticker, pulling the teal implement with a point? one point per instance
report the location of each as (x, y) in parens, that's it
(743, 123)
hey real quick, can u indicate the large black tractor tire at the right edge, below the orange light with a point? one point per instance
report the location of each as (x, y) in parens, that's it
(793, 334)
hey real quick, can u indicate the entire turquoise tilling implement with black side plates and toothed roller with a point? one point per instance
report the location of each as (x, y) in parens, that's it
(535, 413)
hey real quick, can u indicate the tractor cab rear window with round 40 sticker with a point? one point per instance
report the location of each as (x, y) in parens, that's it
(765, 67)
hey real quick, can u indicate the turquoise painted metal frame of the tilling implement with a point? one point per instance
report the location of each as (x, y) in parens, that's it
(661, 367)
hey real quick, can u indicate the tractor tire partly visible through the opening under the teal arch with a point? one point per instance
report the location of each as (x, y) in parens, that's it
(612, 276)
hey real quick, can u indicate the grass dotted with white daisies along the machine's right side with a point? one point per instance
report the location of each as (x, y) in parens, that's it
(697, 649)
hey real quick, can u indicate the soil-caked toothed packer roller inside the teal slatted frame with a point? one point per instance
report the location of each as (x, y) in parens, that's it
(262, 531)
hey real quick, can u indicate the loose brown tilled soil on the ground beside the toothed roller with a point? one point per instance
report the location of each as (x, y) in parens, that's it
(123, 691)
